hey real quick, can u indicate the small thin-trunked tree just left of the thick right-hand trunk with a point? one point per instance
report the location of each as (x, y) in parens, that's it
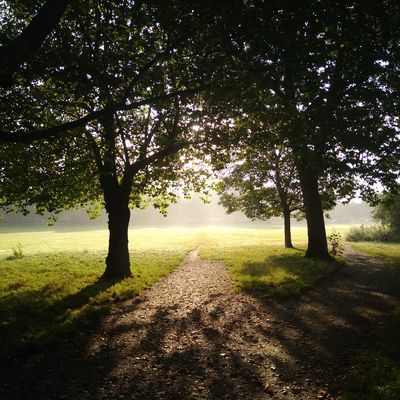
(263, 185)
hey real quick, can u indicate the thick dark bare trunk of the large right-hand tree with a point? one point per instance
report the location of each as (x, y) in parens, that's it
(317, 243)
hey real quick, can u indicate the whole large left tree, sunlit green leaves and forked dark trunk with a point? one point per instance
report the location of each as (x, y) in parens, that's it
(127, 65)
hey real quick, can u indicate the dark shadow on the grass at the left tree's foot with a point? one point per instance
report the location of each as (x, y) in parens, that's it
(27, 308)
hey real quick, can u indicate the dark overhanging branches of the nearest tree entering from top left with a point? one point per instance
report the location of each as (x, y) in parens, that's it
(21, 43)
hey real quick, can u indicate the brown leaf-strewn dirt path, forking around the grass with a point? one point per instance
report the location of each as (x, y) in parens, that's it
(191, 337)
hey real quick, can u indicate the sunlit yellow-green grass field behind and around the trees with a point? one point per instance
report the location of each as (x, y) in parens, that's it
(50, 282)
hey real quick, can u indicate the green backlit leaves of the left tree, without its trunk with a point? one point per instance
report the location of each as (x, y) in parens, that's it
(91, 63)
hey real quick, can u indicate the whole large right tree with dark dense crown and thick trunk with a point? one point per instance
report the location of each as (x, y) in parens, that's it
(321, 76)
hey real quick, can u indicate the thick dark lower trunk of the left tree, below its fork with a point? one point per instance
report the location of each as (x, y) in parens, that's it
(117, 261)
